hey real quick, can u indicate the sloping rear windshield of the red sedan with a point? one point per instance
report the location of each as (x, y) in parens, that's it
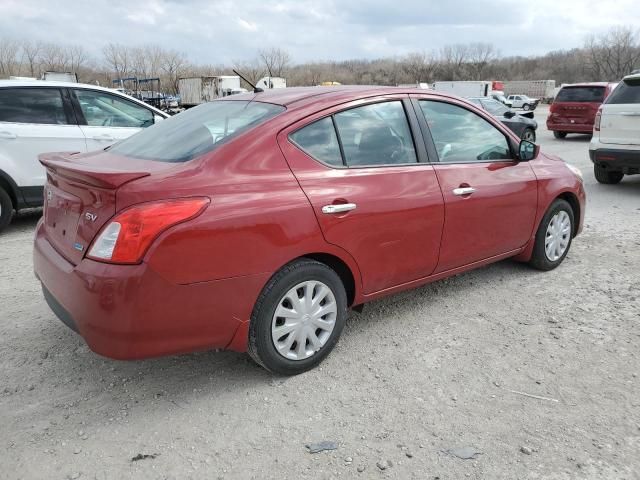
(196, 131)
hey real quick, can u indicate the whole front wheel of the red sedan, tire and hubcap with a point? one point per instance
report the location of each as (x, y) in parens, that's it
(553, 238)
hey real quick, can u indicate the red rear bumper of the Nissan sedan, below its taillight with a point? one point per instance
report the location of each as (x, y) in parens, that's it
(130, 311)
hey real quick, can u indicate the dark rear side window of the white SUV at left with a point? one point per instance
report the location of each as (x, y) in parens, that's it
(32, 105)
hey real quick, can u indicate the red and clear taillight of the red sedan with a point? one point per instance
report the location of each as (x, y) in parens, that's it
(128, 236)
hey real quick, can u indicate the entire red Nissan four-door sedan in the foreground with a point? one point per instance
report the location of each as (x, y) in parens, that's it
(254, 223)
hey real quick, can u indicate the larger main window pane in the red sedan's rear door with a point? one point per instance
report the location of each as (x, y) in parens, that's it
(377, 134)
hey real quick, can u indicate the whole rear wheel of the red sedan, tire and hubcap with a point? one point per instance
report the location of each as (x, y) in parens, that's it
(298, 318)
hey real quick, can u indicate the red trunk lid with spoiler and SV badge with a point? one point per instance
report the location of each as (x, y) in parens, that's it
(80, 196)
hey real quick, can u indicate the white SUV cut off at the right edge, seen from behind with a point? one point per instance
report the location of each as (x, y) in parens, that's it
(615, 145)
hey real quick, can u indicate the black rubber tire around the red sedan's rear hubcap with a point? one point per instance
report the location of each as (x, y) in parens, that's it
(261, 346)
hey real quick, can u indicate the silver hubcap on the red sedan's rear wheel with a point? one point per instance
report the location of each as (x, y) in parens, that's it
(303, 320)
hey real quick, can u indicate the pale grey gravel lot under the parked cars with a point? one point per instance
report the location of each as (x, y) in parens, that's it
(438, 368)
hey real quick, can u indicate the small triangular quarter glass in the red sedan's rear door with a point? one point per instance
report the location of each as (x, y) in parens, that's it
(320, 141)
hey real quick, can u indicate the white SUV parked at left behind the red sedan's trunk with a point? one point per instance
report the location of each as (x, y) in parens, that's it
(46, 116)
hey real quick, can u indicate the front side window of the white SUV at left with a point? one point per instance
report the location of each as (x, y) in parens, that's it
(102, 109)
